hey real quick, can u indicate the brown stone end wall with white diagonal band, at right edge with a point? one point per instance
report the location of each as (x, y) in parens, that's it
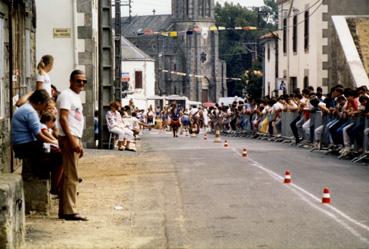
(356, 14)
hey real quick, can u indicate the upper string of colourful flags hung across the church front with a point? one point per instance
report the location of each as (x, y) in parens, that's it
(196, 29)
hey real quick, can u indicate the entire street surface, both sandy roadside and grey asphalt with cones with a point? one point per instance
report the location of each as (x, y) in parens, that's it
(193, 193)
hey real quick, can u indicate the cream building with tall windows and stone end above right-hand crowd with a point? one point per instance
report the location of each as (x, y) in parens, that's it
(318, 43)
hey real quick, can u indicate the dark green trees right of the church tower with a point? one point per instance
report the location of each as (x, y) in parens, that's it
(236, 46)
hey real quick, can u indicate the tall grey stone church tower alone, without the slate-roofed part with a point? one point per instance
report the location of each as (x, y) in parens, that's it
(197, 52)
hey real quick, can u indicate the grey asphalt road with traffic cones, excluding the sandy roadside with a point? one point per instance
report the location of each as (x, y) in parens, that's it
(219, 199)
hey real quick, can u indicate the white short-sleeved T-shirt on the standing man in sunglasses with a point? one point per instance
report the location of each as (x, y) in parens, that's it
(71, 101)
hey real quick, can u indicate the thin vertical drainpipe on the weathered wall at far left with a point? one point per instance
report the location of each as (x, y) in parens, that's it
(10, 24)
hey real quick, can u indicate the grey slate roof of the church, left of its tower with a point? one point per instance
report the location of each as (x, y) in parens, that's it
(137, 24)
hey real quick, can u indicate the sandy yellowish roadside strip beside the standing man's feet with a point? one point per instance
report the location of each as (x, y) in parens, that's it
(124, 195)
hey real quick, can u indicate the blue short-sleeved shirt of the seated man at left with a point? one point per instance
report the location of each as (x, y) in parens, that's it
(25, 125)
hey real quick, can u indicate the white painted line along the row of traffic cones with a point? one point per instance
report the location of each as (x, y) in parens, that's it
(302, 193)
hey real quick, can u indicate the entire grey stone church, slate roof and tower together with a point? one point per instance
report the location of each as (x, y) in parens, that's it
(192, 51)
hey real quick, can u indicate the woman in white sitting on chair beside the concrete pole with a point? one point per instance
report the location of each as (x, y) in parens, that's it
(116, 126)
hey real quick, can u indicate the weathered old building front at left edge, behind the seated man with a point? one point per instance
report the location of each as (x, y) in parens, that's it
(17, 63)
